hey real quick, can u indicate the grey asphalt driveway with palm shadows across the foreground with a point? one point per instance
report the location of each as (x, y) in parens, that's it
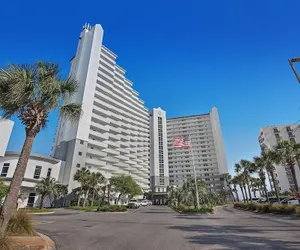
(160, 228)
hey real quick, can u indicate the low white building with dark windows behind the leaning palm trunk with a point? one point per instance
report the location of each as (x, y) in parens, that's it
(38, 167)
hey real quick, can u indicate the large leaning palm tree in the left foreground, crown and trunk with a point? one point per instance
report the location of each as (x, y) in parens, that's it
(31, 92)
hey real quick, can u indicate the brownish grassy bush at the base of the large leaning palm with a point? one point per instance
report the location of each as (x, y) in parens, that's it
(20, 223)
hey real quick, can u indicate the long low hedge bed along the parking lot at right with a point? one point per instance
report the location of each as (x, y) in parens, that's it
(269, 208)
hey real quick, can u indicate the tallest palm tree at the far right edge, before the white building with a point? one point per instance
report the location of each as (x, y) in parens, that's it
(286, 153)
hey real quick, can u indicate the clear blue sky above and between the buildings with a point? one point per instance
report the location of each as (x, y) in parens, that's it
(184, 56)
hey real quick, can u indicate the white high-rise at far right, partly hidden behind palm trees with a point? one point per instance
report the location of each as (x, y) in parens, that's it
(269, 138)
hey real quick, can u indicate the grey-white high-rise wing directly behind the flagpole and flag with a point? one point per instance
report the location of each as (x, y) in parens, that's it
(208, 149)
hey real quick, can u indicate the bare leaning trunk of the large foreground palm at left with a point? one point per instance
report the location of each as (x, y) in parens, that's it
(13, 192)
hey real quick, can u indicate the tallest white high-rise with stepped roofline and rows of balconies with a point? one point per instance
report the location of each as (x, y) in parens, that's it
(112, 135)
